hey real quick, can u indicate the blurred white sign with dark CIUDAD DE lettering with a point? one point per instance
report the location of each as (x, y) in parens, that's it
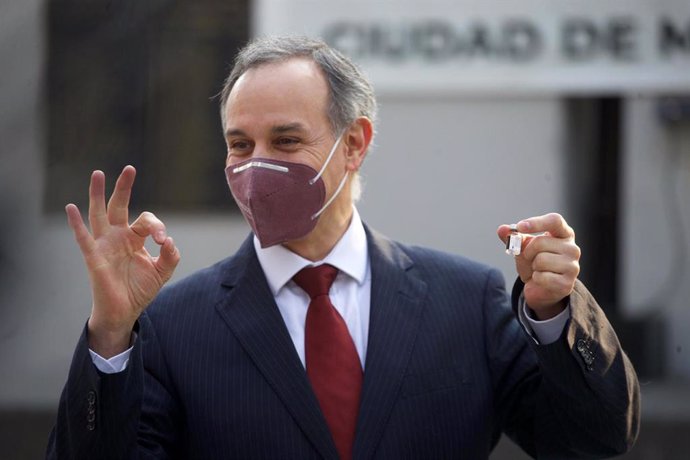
(527, 46)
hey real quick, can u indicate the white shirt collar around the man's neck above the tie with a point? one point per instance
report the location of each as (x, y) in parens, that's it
(349, 256)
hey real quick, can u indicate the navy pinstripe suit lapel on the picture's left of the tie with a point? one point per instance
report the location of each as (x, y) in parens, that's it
(252, 315)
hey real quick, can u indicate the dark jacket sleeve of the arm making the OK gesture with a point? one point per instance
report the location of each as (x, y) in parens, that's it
(129, 414)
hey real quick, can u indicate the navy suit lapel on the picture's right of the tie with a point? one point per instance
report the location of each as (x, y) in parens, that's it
(396, 306)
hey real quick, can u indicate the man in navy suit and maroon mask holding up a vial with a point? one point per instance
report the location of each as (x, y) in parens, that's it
(410, 353)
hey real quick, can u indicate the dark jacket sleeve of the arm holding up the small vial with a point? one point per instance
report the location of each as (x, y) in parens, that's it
(582, 398)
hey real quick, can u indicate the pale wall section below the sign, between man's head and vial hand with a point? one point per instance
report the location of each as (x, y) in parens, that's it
(446, 172)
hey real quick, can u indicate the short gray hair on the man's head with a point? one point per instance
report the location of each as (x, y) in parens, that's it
(350, 93)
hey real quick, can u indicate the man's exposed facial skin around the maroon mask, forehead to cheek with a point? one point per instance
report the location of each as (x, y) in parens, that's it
(279, 111)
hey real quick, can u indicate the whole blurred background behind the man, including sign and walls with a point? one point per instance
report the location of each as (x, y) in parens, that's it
(487, 131)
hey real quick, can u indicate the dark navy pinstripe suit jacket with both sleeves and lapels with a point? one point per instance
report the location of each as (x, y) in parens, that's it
(214, 373)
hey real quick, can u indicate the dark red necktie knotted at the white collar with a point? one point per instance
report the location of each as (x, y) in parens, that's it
(333, 365)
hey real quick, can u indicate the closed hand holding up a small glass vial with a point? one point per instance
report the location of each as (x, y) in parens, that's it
(548, 263)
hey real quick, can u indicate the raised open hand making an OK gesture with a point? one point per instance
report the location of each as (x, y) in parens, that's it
(124, 276)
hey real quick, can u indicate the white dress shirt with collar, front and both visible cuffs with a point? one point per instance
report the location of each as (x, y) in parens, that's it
(350, 294)
